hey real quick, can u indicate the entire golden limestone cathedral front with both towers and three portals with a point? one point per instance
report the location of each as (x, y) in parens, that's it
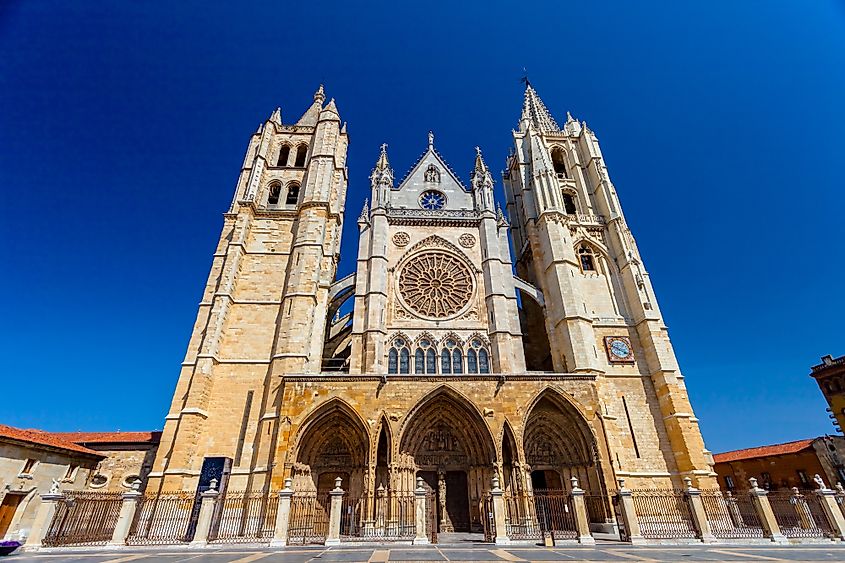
(468, 343)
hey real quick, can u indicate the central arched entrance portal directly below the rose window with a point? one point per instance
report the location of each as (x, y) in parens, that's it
(447, 443)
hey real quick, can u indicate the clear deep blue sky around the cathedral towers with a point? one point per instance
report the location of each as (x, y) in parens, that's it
(123, 126)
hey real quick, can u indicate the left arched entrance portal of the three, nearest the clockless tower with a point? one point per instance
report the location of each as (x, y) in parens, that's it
(333, 443)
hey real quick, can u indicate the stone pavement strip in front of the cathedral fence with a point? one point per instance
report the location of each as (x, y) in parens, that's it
(472, 552)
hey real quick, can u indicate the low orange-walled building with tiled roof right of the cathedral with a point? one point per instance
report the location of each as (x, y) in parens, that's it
(783, 466)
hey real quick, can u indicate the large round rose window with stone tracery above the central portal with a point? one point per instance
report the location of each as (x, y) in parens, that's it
(436, 284)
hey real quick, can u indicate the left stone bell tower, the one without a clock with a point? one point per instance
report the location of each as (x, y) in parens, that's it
(263, 311)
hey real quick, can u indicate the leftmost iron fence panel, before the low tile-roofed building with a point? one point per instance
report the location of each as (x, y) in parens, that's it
(84, 518)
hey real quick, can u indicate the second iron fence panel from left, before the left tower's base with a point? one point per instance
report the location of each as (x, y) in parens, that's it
(164, 518)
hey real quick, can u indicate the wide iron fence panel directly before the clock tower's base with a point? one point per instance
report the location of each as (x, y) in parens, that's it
(663, 514)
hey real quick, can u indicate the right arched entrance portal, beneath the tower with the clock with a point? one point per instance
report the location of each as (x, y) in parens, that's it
(559, 445)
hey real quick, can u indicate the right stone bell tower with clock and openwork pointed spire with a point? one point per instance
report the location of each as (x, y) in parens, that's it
(600, 315)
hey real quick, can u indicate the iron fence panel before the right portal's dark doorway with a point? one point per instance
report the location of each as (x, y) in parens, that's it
(545, 511)
